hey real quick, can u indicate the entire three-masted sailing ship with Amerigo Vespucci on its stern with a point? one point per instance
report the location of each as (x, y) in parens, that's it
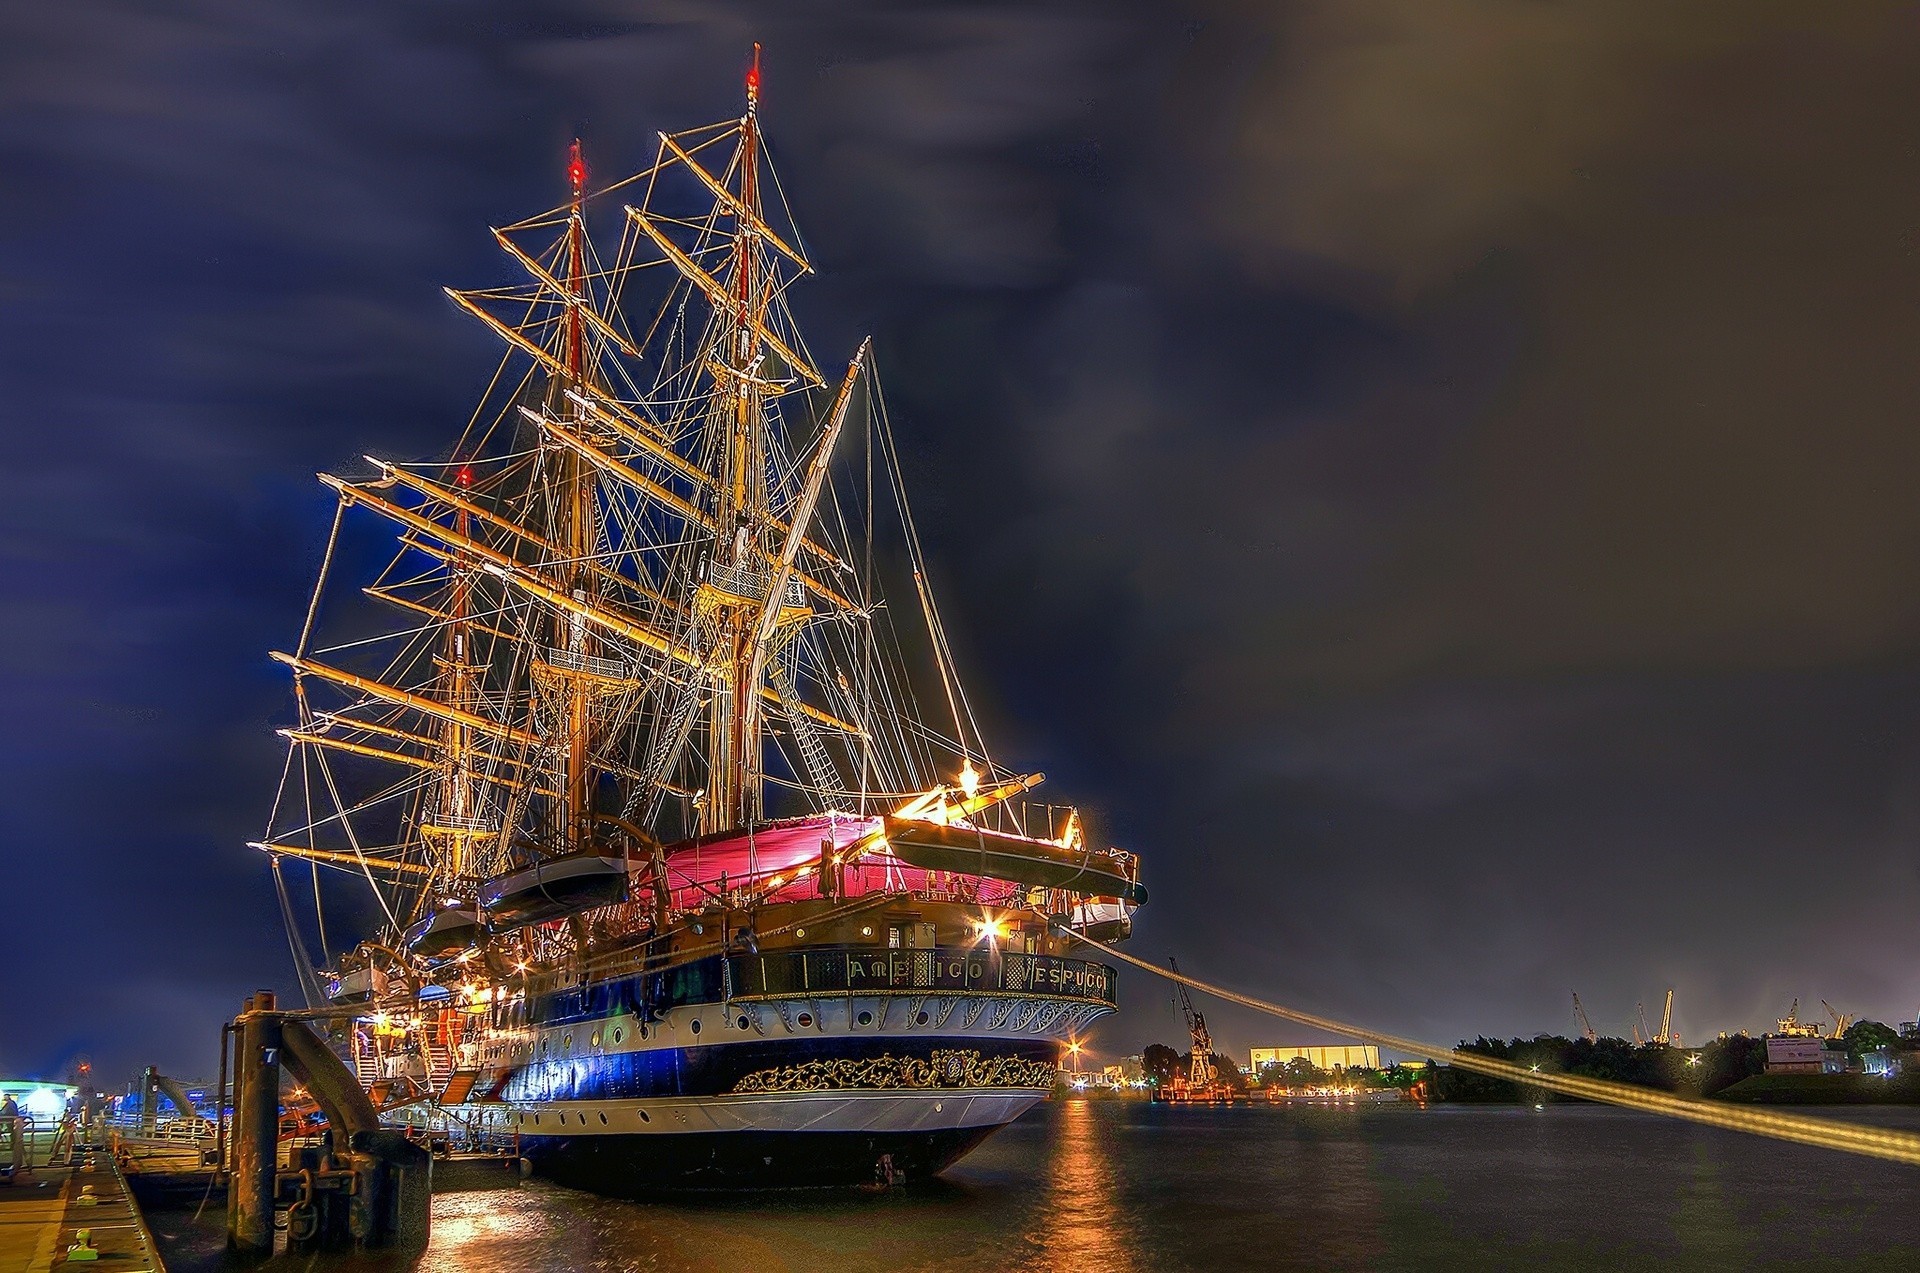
(673, 880)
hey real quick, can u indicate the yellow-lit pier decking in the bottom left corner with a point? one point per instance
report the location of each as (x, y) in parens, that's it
(45, 1207)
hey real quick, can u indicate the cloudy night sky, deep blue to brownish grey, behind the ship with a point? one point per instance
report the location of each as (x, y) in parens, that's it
(1437, 479)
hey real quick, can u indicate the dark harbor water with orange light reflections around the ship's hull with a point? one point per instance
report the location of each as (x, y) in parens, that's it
(1126, 1188)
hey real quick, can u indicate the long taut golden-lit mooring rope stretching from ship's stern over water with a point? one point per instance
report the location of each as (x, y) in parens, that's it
(1827, 1134)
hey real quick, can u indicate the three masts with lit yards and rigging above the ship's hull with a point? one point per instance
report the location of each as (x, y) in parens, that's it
(631, 598)
